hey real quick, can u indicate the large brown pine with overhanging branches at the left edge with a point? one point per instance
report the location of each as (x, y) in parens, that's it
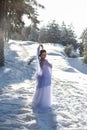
(11, 12)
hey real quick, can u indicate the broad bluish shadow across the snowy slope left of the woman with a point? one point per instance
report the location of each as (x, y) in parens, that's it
(15, 69)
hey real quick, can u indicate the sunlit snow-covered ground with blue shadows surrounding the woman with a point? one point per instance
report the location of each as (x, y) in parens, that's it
(17, 86)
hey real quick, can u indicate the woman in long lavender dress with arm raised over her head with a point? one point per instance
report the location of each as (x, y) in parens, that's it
(42, 97)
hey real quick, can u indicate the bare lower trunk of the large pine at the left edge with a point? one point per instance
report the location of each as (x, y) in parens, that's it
(1, 48)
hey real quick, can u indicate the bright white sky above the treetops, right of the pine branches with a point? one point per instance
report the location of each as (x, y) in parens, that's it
(70, 11)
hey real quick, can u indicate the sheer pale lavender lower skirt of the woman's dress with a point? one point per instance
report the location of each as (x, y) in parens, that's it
(42, 97)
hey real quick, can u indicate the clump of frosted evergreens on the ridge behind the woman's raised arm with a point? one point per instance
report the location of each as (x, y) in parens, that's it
(58, 34)
